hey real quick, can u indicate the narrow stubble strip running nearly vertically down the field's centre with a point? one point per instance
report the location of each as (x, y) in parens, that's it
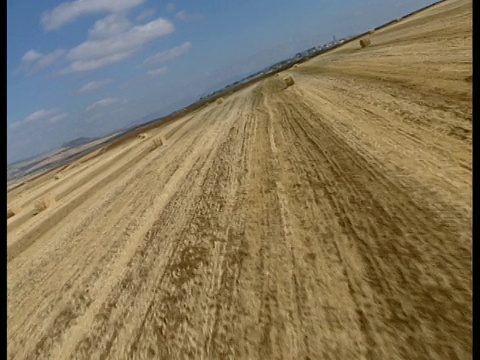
(262, 289)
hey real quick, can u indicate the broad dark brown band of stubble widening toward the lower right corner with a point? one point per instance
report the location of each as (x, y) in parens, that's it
(390, 252)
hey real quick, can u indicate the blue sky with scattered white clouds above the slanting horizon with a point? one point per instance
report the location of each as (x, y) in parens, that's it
(86, 68)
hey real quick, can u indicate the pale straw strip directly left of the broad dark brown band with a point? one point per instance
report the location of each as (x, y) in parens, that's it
(326, 321)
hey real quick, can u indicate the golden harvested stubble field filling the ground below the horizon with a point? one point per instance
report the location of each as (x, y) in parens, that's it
(330, 220)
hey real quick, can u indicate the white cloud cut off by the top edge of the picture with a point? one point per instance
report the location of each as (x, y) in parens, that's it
(69, 11)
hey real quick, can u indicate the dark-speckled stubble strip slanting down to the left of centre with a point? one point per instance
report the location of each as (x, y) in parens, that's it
(188, 274)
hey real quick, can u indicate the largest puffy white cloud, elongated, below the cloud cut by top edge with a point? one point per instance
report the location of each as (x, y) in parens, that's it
(96, 53)
